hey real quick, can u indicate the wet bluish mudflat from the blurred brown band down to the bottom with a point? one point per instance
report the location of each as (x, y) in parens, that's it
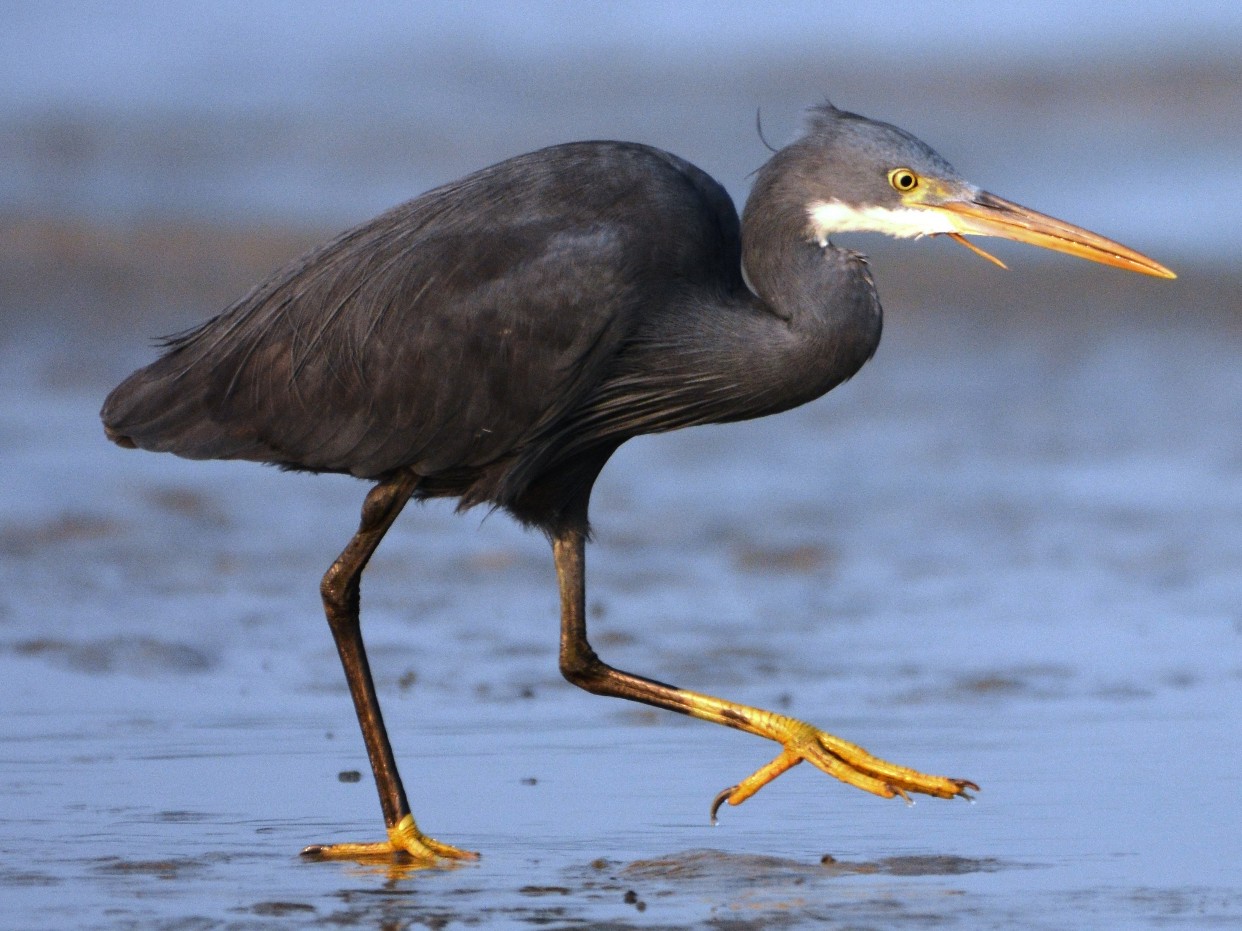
(1007, 552)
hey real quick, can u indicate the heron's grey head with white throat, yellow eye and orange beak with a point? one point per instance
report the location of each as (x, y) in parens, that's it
(871, 177)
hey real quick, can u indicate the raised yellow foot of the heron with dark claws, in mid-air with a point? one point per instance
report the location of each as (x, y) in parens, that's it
(838, 758)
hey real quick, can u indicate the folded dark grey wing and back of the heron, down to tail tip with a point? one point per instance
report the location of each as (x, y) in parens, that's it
(453, 336)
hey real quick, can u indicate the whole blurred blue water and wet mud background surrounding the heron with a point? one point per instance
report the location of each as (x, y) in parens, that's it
(1007, 551)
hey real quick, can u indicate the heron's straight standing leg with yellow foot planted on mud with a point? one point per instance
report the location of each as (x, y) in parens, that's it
(341, 603)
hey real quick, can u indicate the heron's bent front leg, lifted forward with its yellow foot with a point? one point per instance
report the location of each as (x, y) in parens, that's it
(838, 758)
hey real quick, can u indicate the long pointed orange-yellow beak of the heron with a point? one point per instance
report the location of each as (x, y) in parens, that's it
(988, 215)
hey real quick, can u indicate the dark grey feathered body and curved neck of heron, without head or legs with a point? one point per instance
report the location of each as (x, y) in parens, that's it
(500, 337)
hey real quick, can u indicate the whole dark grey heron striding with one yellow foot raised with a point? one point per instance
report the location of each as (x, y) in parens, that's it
(495, 341)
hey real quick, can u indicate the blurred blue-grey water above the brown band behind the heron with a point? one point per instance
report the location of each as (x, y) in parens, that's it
(324, 115)
